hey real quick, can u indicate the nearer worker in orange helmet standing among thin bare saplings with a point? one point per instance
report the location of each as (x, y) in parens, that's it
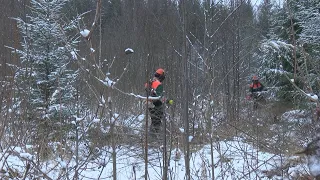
(154, 88)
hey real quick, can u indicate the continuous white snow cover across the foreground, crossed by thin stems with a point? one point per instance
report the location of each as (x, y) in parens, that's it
(233, 159)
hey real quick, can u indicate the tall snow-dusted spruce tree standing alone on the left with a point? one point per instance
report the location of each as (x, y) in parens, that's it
(45, 79)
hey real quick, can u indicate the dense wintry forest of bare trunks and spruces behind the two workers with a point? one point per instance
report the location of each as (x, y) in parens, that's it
(61, 85)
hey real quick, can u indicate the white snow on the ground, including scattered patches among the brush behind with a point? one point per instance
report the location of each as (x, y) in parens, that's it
(234, 158)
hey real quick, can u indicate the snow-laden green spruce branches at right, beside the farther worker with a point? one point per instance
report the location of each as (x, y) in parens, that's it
(278, 55)
